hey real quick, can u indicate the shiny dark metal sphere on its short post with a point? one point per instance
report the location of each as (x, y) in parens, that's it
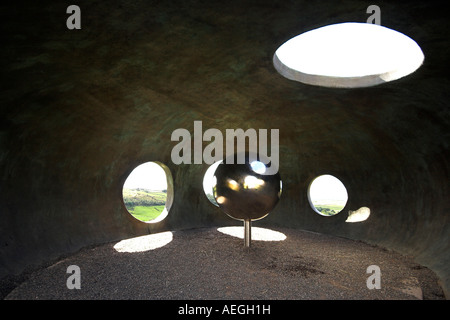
(244, 192)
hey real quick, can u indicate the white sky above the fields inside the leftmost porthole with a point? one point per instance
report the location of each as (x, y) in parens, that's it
(148, 175)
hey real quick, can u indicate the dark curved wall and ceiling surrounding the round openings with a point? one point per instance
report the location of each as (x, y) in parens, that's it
(80, 109)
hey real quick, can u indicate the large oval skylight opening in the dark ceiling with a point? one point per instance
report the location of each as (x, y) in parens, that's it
(348, 55)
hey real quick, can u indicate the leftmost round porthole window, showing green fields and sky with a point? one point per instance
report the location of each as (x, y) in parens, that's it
(147, 192)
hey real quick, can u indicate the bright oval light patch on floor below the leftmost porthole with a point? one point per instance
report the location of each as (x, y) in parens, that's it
(144, 243)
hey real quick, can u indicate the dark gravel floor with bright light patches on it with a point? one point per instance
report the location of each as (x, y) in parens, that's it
(212, 264)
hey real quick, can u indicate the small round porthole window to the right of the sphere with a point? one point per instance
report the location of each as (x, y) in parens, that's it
(327, 195)
